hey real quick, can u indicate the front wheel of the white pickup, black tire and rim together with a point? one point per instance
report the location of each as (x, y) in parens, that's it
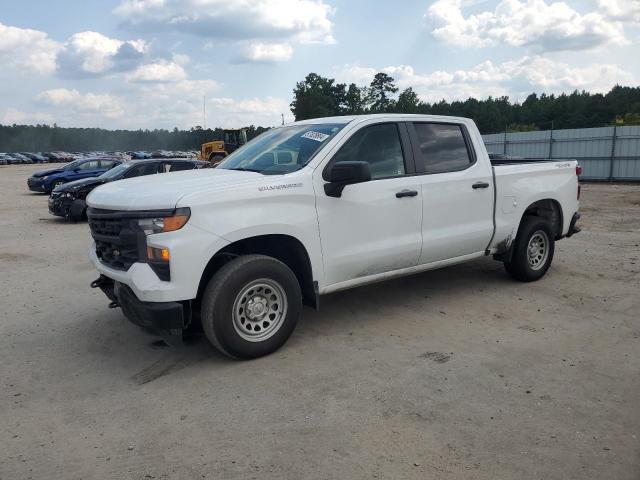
(222, 301)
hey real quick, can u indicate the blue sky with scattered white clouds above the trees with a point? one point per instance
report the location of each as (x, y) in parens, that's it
(157, 63)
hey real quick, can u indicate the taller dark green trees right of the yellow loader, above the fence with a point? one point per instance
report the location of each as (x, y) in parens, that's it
(318, 96)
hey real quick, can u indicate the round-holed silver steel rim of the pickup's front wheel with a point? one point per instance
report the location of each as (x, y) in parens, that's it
(259, 310)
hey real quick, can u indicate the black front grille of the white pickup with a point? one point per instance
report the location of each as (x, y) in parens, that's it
(117, 240)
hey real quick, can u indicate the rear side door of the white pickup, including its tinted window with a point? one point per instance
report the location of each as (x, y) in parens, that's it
(456, 191)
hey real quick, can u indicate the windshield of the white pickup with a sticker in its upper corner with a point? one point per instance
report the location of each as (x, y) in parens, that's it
(282, 150)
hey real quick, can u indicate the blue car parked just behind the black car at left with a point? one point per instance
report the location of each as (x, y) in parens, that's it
(46, 180)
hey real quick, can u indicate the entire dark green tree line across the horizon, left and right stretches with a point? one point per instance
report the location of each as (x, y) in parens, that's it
(318, 96)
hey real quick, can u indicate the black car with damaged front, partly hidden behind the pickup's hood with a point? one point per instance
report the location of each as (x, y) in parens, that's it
(68, 200)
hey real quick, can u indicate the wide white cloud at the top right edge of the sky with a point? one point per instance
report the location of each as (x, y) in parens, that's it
(549, 26)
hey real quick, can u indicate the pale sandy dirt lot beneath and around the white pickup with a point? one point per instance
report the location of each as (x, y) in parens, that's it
(458, 373)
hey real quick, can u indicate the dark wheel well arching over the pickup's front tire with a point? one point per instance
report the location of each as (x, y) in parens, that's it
(285, 248)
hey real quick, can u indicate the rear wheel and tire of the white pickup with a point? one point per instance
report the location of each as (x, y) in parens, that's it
(524, 267)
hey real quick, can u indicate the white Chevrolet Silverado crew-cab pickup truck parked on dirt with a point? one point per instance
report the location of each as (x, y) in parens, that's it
(315, 207)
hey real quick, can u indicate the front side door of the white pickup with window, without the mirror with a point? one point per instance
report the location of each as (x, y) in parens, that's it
(373, 227)
